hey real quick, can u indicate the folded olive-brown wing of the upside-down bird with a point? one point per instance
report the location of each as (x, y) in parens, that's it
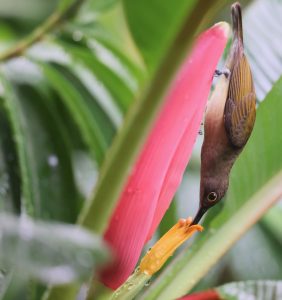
(240, 107)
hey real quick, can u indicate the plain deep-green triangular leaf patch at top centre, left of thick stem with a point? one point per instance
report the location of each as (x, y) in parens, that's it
(155, 32)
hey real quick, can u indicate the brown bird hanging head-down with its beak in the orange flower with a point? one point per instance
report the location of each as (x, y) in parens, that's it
(229, 120)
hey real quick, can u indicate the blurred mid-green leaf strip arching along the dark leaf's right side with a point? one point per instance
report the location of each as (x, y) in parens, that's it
(95, 126)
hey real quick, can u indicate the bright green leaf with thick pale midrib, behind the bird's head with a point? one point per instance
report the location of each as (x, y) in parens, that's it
(255, 185)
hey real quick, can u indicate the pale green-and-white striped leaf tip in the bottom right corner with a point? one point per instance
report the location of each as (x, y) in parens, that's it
(251, 290)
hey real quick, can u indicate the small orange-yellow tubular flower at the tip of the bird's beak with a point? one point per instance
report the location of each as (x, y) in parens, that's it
(166, 245)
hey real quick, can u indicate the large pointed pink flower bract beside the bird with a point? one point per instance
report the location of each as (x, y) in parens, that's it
(160, 166)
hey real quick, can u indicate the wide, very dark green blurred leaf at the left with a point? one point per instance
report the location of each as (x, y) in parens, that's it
(45, 163)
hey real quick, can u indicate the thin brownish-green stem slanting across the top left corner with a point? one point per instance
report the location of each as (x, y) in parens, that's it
(50, 24)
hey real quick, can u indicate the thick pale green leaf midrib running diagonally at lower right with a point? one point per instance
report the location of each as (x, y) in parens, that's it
(182, 276)
